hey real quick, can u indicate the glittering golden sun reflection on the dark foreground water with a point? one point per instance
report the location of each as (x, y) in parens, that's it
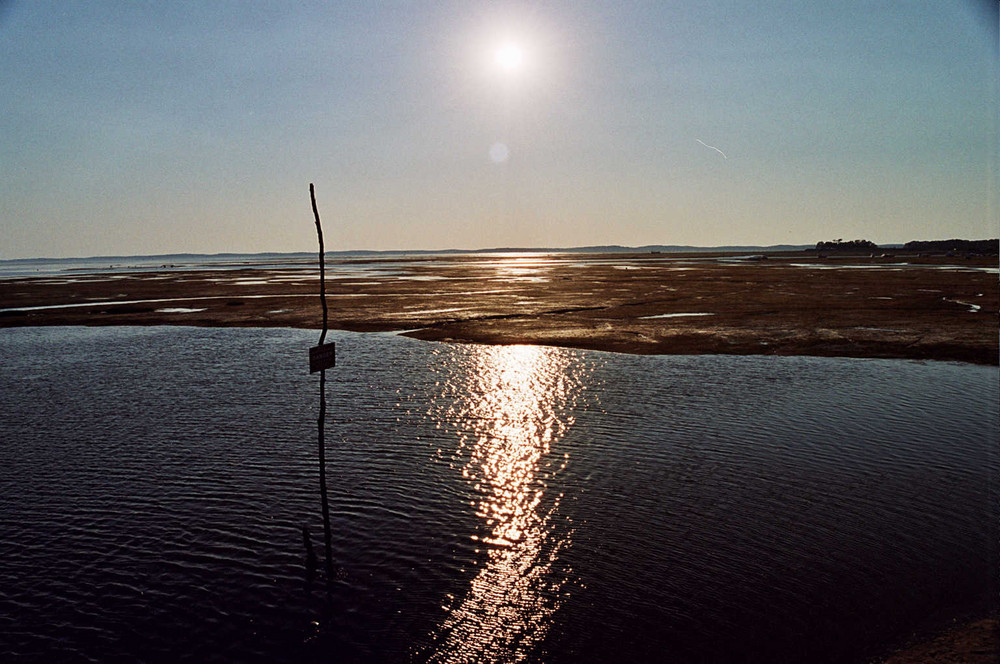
(514, 414)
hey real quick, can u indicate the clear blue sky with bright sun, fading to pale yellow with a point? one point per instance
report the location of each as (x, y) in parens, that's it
(150, 127)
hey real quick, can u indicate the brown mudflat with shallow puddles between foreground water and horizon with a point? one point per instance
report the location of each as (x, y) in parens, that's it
(903, 306)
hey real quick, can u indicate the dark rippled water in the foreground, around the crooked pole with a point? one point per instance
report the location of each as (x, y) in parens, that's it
(487, 503)
